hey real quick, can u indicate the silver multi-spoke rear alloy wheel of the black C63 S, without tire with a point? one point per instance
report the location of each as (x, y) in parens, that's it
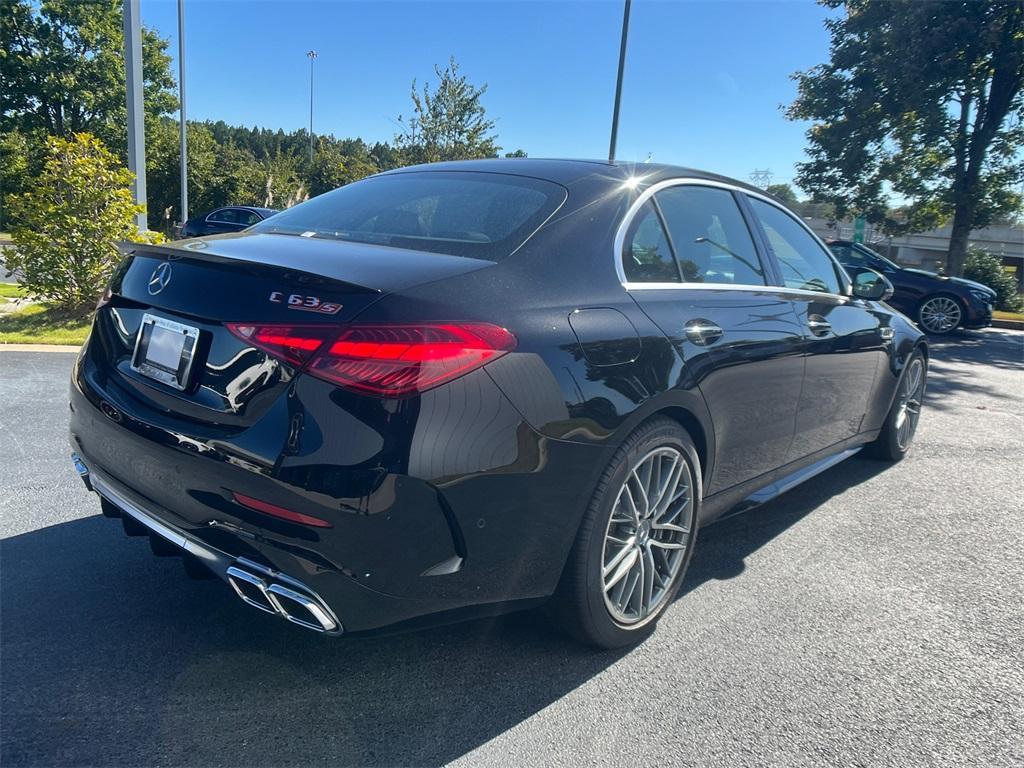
(648, 536)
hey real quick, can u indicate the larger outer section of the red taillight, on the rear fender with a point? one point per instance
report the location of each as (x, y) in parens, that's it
(394, 361)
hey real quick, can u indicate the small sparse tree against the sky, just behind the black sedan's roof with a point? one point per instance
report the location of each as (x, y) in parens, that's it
(448, 123)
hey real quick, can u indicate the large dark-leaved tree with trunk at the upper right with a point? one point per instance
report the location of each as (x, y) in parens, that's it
(923, 100)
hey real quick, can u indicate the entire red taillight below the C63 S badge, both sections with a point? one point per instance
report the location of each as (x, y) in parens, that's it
(390, 361)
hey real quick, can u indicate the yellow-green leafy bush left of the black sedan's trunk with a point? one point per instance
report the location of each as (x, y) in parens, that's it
(70, 223)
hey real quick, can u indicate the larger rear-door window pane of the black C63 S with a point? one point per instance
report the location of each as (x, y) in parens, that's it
(712, 241)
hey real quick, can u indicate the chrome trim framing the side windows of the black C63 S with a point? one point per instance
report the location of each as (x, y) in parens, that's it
(652, 191)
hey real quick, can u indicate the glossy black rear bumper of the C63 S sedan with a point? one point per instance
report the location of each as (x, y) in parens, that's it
(490, 538)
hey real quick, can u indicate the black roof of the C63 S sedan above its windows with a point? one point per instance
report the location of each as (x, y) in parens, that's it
(565, 172)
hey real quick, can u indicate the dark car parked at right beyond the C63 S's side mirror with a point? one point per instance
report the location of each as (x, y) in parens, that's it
(940, 305)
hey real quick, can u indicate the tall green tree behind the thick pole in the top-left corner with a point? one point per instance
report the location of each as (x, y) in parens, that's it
(62, 69)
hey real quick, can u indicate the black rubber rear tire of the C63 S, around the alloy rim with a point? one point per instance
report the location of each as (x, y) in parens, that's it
(579, 606)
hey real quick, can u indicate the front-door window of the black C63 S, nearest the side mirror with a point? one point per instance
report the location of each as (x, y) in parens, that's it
(805, 265)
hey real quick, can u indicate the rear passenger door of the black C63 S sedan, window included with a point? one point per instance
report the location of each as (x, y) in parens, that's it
(691, 263)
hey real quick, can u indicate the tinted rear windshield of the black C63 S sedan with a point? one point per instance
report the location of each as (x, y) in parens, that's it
(482, 216)
